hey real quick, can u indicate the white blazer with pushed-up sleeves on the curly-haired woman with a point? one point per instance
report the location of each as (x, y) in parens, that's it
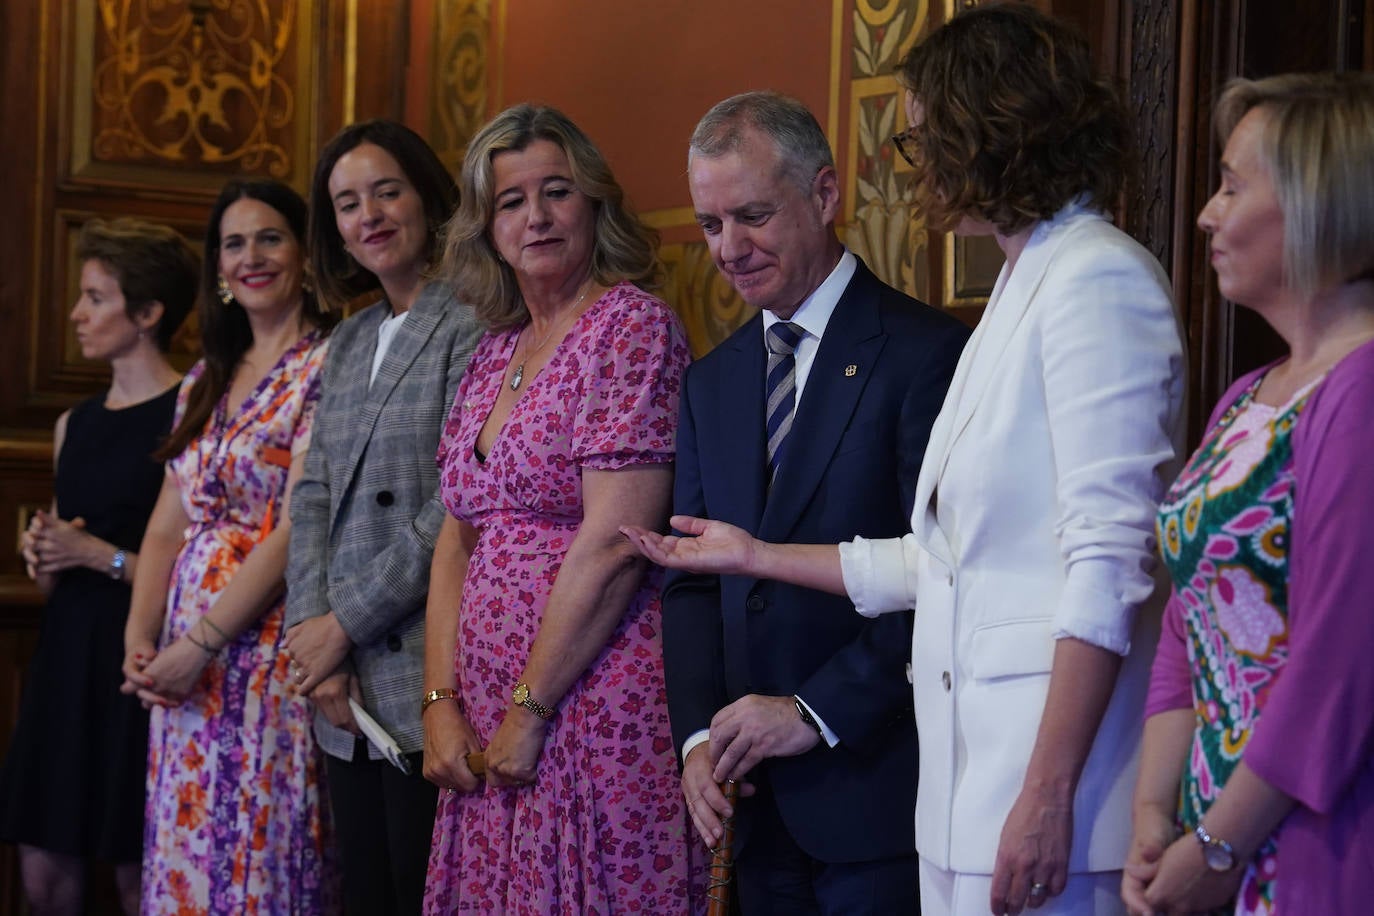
(1034, 521)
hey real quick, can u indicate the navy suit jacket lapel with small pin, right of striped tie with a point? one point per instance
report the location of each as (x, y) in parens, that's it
(840, 373)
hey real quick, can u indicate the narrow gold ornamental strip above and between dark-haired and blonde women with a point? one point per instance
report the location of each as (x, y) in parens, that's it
(458, 104)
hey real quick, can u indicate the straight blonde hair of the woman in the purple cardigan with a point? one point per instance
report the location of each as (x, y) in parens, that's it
(1318, 145)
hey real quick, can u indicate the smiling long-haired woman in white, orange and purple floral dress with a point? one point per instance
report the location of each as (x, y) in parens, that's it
(236, 818)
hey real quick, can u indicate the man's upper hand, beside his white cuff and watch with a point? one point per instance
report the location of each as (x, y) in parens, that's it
(755, 729)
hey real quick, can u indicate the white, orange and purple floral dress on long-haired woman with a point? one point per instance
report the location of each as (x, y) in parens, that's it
(237, 821)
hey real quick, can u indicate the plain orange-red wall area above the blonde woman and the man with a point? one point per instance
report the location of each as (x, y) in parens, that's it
(637, 76)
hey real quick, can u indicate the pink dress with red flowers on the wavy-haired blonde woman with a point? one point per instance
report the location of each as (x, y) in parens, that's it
(604, 829)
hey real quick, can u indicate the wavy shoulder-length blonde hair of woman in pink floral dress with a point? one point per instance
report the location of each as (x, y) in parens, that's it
(624, 249)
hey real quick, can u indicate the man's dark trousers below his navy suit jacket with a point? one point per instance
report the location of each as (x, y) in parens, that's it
(777, 878)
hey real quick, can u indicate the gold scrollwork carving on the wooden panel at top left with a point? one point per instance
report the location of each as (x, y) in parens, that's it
(207, 87)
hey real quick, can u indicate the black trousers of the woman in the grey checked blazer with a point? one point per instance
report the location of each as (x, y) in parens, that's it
(384, 822)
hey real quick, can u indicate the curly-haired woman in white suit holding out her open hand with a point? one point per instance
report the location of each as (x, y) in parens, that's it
(1033, 547)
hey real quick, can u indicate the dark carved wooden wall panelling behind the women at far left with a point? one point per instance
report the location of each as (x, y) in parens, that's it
(142, 108)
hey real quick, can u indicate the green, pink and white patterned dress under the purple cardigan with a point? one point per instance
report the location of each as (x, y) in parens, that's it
(1224, 532)
